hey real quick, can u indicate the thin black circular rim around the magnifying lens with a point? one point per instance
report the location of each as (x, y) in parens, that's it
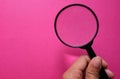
(81, 5)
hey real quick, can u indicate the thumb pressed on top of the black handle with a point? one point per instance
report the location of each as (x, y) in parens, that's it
(93, 69)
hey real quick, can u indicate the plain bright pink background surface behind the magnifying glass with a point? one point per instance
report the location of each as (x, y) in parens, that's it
(29, 48)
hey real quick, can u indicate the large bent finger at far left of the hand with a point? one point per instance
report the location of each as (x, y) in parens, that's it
(76, 70)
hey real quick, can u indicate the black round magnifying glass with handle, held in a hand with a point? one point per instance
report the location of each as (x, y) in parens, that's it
(76, 25)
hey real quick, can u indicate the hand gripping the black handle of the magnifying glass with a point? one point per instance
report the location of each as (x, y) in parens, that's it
(84, 68)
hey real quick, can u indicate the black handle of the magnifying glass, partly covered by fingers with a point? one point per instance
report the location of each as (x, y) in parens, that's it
(91, 53)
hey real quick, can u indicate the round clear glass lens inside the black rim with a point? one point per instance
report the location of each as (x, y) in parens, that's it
(76, 26)
